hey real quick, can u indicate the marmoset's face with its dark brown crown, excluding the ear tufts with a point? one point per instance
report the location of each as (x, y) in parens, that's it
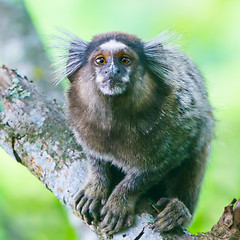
(113, 61)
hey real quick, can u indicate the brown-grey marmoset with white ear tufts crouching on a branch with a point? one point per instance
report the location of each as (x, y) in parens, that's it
(141, 107)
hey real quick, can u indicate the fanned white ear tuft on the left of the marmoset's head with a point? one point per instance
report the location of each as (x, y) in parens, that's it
(70, 56)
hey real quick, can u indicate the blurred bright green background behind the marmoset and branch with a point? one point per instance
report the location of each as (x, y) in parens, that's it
(211, 36)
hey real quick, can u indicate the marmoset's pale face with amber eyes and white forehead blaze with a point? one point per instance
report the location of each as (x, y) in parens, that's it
(113, 62)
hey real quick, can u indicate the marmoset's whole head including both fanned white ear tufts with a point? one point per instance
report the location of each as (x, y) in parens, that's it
(114, 62)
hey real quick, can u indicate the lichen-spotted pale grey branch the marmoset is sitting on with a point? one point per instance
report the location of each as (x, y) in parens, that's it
(34, 131)
